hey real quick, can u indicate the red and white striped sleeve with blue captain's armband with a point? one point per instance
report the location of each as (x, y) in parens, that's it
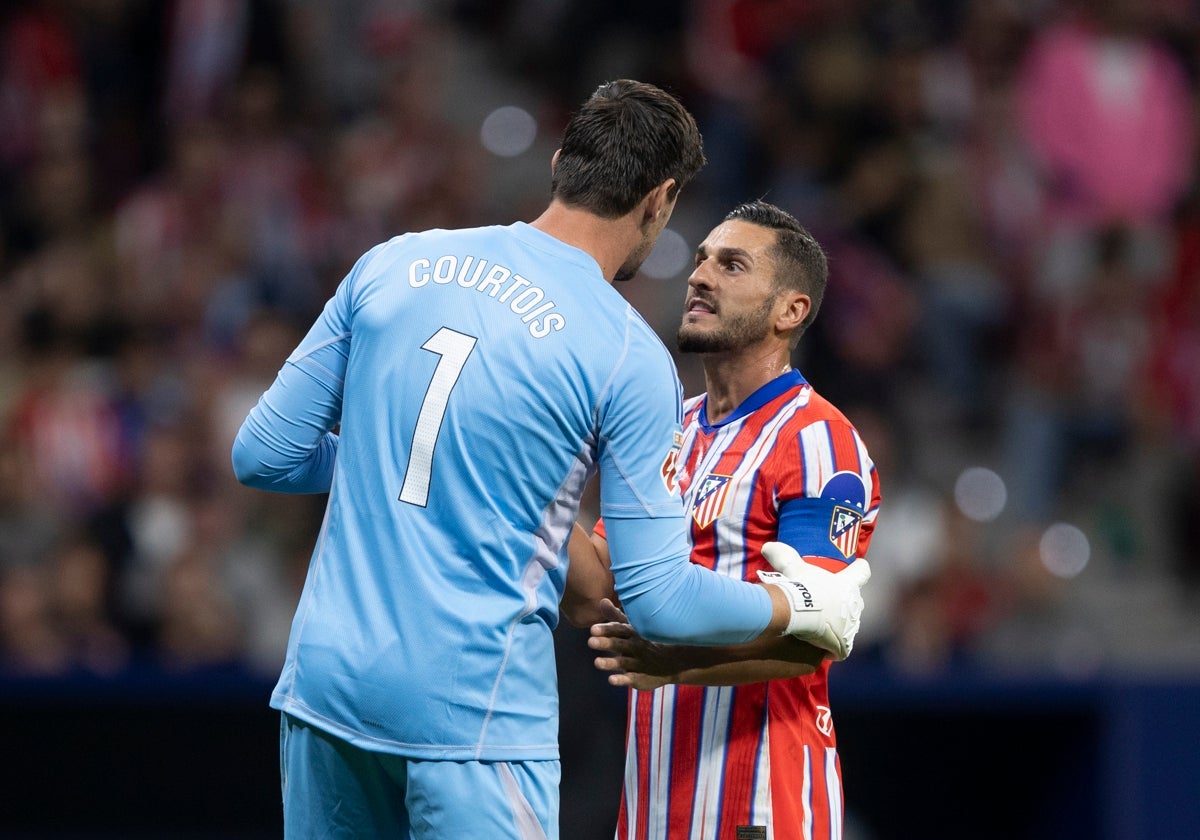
(831, 500)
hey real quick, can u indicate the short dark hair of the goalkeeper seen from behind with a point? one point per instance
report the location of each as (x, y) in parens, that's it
(625, 141)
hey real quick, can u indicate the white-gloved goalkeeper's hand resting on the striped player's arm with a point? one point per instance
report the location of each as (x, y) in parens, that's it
(826, 607)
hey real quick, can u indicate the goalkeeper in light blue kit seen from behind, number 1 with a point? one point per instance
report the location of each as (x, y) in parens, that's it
(477, 380)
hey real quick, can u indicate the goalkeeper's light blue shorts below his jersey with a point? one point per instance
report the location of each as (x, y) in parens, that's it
(335, 790)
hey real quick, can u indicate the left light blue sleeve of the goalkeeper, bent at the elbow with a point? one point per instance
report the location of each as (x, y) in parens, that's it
(286, 443)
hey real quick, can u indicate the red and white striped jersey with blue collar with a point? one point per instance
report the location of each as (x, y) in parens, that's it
(760, 760)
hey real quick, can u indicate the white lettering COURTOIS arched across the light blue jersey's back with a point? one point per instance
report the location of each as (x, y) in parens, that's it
(499, 283)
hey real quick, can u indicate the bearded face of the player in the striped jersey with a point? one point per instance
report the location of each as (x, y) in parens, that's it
(731, 295)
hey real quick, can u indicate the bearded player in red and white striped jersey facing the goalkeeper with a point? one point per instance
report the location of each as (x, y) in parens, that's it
(740, 742)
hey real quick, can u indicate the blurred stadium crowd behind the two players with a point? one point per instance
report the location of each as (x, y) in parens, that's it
(1007, 190)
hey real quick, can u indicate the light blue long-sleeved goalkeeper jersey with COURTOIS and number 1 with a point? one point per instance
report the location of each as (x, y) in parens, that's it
(481, 379)
